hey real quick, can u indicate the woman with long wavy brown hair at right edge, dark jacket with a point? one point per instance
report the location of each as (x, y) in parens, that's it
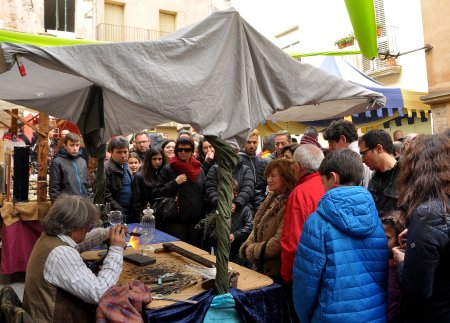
(424, 261)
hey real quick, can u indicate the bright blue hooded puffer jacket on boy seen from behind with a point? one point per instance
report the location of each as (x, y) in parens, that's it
(341, 265)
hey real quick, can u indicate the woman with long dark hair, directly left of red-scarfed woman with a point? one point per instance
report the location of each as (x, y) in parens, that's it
(145, 180)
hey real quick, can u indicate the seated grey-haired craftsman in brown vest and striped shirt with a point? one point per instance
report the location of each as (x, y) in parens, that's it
(59, 286)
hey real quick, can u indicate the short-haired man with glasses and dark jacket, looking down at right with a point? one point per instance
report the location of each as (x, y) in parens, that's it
(377, 152)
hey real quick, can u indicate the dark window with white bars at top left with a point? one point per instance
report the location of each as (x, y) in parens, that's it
(59, 15)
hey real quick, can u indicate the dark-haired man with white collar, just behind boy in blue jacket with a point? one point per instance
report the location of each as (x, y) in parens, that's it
(342, 134)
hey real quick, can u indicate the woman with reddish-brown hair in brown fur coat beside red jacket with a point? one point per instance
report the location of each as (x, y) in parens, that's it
(263, 247)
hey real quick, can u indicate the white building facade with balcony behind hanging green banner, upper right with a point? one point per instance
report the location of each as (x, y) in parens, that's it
(315, 26)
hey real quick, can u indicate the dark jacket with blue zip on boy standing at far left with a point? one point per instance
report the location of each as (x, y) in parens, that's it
(69, 175)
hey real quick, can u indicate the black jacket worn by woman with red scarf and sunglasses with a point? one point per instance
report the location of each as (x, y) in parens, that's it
(190, 195)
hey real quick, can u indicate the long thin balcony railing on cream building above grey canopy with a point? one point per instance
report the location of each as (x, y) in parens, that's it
(117, 33)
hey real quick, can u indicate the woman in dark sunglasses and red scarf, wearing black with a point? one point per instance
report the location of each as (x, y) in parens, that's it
(183, 178)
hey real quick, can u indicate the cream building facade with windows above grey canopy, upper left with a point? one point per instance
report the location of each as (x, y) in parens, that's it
(118, 20)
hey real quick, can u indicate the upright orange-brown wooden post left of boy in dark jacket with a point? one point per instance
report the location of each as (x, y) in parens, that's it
(42, 158)
